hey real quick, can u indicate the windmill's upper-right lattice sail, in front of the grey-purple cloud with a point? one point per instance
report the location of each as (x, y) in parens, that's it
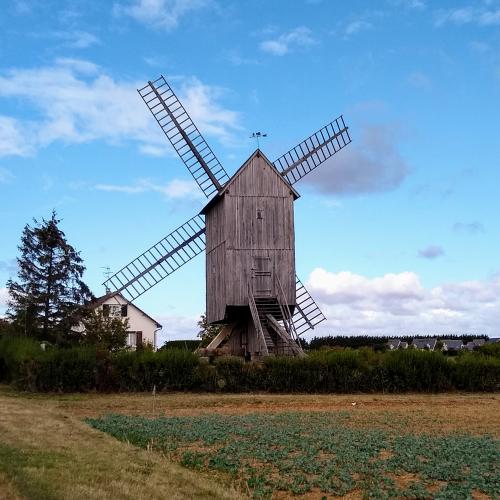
(313, 151)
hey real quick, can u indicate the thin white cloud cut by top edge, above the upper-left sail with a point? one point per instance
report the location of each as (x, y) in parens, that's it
(159, 14)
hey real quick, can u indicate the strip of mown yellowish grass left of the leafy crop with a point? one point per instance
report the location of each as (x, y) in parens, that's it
(46, 453)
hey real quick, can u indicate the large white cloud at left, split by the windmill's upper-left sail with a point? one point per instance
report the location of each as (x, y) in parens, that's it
(78, 102)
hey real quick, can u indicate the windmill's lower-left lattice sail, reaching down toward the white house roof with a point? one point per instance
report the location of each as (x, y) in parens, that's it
(161, 260)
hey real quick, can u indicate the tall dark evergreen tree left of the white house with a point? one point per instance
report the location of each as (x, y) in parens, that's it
(49, 289)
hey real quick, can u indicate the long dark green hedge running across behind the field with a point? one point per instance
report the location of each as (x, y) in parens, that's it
(85, 369)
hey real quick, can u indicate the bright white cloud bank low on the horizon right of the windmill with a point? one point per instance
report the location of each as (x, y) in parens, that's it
(398, 303)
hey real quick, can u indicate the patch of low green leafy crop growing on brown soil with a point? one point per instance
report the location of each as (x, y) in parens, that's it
(297, 453)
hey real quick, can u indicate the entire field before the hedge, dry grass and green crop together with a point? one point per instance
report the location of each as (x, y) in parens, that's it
(441, 446)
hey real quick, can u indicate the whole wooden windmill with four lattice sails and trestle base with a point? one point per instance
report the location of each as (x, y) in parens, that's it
(247, 232)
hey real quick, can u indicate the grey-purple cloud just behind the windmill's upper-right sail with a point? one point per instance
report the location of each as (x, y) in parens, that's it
(371, 163)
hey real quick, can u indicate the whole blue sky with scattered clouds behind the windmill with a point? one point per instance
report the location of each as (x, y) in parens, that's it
(397, 234)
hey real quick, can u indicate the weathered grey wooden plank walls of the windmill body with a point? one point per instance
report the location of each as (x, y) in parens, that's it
(253, 219)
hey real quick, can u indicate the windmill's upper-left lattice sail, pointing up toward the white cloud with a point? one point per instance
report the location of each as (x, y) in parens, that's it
(184, 136)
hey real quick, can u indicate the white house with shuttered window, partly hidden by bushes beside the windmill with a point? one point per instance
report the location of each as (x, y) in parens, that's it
(142, 328)
